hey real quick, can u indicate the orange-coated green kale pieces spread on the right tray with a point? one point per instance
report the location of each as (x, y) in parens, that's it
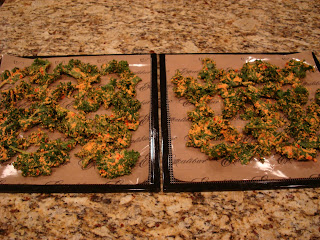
(273, 101)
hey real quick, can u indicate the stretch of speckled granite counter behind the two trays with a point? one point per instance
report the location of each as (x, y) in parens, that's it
(49, 27)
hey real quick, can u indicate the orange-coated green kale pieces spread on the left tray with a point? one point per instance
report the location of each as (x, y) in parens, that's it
(33, 100)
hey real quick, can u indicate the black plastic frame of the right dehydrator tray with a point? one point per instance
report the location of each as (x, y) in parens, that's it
(181, 186)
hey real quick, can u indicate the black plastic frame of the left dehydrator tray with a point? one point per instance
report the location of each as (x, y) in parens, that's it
(153, 185)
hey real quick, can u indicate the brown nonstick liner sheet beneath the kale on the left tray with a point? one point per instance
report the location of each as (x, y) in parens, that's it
(71, 174)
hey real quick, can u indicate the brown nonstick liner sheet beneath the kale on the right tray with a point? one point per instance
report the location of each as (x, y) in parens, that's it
(186, 167)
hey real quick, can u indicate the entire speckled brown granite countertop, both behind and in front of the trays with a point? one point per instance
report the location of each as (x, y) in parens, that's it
(48, 27)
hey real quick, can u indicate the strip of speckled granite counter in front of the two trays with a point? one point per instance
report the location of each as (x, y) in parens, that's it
(289, 214)
